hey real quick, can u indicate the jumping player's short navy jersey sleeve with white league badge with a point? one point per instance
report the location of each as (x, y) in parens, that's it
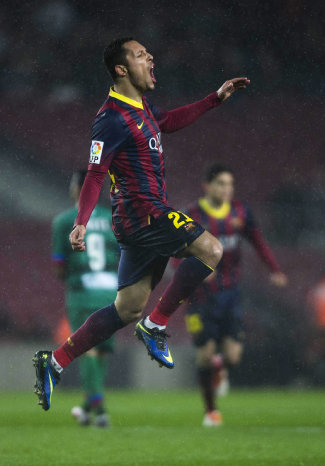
(109, 133)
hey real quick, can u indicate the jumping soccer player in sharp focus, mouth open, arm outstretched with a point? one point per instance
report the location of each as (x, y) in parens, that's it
(126, 143)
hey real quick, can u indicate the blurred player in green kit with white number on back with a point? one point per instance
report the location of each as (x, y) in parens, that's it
(90, 280)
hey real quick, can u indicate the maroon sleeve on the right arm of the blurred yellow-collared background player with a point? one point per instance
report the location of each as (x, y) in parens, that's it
(254, 236)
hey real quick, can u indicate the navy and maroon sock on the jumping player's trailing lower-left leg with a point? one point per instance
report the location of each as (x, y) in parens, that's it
(98, 327)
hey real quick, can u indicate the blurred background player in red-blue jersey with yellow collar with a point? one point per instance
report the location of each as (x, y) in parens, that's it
(214, 315)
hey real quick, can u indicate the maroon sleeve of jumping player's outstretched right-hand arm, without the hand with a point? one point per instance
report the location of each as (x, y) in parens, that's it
(173, 120)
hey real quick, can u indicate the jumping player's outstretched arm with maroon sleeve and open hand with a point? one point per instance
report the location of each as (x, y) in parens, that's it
(173, 120)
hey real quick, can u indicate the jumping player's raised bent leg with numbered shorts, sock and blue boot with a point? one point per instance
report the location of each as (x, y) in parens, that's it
(175, 234)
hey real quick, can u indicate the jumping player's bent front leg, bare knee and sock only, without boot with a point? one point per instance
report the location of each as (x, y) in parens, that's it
(201, 259)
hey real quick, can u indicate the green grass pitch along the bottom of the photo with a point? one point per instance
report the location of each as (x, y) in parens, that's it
(262, 428)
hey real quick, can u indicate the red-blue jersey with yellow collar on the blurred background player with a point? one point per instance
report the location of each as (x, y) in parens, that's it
(230, 223)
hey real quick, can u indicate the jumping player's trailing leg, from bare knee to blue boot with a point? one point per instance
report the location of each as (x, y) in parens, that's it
(100, 326)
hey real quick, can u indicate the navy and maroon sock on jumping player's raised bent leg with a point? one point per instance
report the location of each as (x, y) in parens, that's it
(189, 274)
